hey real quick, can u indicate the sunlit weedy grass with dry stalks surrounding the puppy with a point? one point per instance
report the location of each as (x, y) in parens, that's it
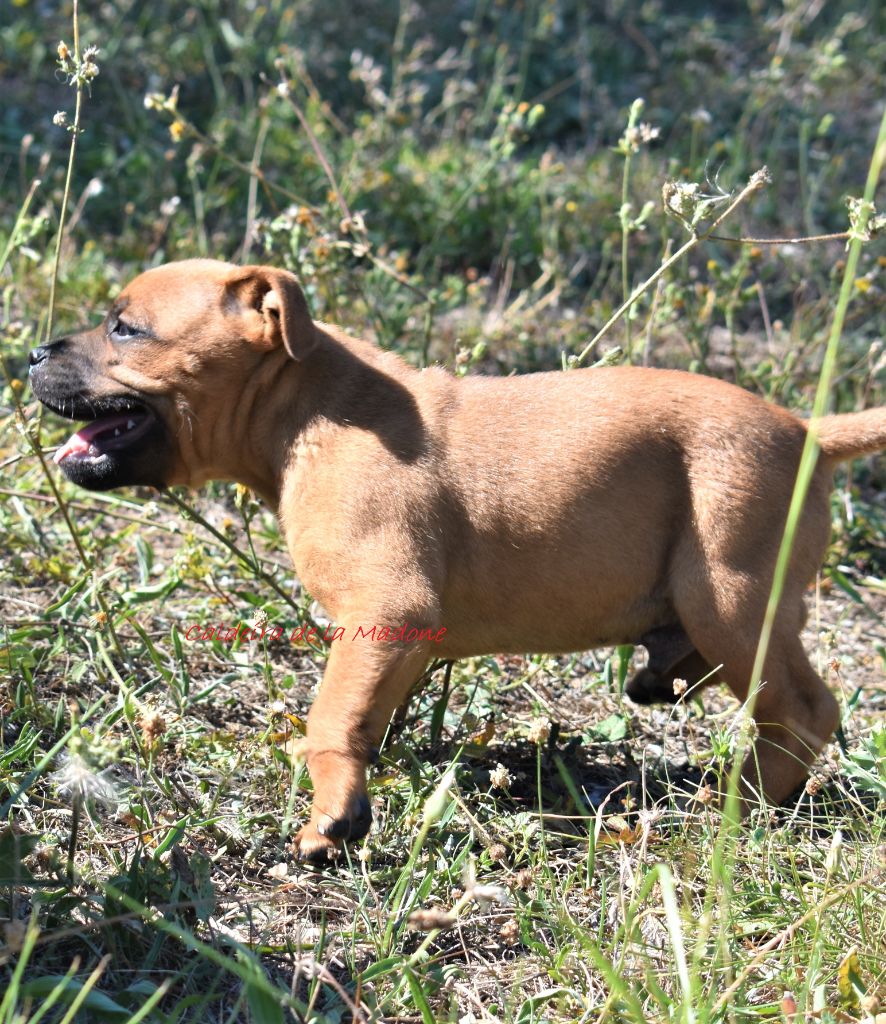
(476, 188)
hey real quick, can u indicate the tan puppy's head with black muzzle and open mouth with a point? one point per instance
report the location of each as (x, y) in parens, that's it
(166, 377)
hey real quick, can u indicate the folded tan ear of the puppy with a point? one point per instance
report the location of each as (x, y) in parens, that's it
(279, 302)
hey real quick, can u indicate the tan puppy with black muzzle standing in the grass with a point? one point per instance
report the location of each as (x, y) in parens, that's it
(552, 513)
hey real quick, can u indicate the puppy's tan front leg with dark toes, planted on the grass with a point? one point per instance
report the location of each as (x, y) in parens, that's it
(364, 684)
